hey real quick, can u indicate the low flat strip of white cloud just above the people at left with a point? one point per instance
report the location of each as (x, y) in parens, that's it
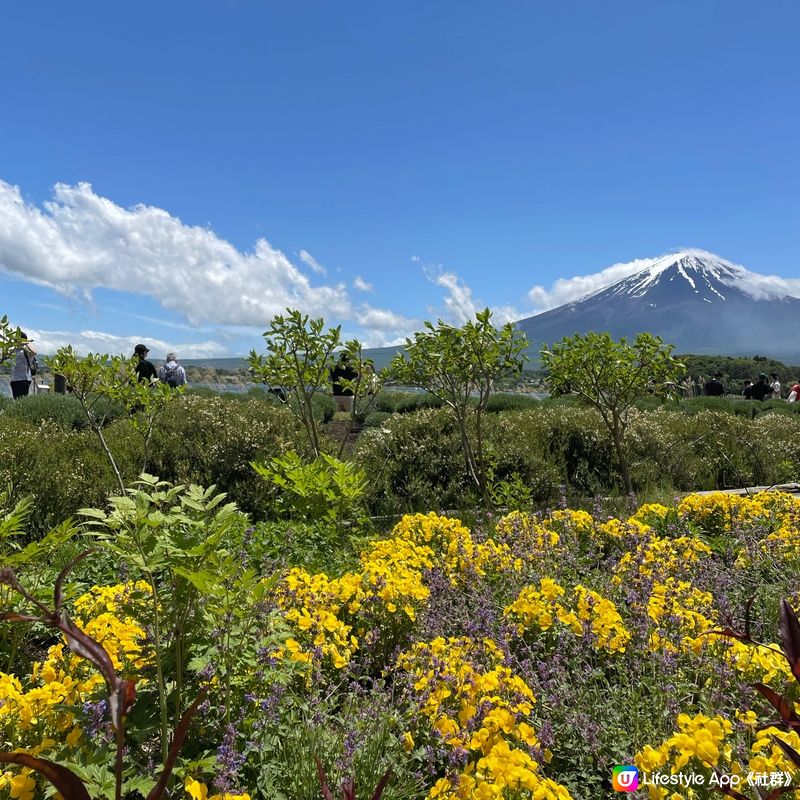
(47, 342)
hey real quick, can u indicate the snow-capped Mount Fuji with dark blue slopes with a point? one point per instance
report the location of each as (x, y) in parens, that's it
(695, 300)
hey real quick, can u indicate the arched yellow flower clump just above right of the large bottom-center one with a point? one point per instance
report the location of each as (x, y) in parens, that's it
(540, 608)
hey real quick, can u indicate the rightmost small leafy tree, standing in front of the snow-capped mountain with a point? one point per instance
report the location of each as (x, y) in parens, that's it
(610, 375)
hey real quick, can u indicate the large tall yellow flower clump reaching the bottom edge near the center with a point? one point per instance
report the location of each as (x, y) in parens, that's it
(475, 702)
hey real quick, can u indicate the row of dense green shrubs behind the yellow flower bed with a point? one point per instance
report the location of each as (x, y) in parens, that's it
(413, 460)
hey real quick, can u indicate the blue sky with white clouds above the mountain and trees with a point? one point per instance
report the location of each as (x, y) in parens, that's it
(176, 173)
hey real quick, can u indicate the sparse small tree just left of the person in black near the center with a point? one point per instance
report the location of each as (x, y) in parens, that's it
(299, 357)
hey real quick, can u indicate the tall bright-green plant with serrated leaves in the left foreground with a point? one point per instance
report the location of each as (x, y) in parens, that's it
(182, 542)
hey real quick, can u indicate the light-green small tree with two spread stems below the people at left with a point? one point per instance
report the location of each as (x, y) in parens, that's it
(99, 377)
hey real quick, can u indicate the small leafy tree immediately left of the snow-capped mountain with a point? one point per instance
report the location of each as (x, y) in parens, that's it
(461, 366)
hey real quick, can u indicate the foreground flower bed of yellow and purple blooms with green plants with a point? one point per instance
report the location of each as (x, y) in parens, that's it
(522, 658)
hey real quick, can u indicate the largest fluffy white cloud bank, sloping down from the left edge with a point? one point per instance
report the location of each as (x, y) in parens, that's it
(81, 241)
